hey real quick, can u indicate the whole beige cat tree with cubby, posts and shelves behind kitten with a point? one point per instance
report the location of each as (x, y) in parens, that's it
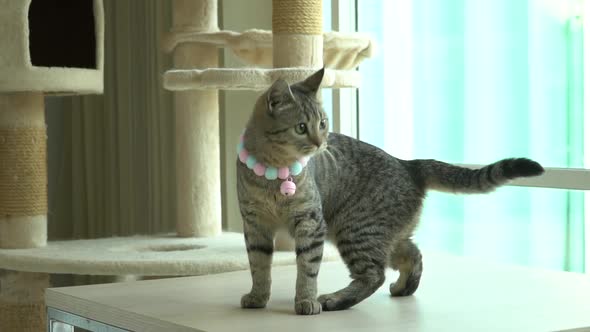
(33, 63)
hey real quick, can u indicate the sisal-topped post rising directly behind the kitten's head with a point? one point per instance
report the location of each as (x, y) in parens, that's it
(297, 42)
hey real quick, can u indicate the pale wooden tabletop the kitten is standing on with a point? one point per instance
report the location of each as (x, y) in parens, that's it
(456, 294)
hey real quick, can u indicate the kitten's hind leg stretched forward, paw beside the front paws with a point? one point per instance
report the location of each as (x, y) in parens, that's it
(366, 261)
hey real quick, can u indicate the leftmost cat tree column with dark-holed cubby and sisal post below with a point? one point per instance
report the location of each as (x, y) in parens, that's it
(40, 55)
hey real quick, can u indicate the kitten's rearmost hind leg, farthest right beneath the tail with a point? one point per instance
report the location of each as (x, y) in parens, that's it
(407, 259)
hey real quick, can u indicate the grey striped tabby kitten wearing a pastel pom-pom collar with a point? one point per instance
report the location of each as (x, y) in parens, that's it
(352, 193)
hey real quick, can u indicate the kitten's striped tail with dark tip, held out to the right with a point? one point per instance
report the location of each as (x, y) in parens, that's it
(437, 175)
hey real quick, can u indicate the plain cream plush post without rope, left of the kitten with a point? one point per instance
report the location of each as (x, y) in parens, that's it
(198, 172)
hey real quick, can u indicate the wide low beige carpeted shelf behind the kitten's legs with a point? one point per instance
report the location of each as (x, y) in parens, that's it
(158, 255)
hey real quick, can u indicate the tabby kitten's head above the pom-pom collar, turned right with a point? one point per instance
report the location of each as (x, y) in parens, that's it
(290, 120)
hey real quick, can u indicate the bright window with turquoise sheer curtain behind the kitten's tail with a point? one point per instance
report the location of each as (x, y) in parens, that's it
(474, 81)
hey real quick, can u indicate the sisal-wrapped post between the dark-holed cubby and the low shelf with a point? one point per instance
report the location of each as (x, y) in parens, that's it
(23, 173)
